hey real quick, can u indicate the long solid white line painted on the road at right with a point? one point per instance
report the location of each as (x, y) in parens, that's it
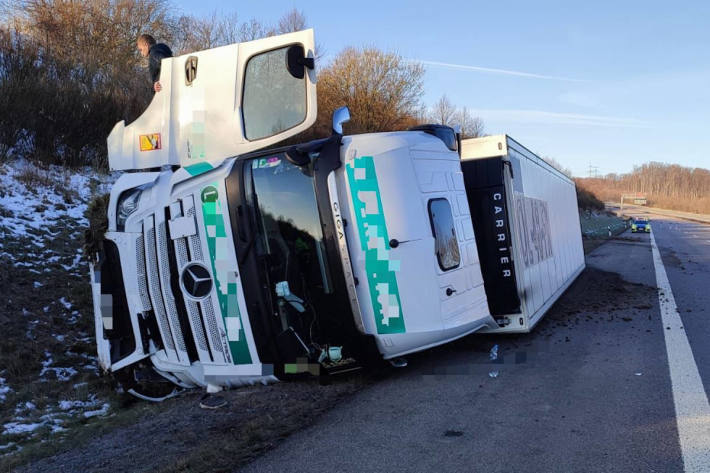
(691, 403)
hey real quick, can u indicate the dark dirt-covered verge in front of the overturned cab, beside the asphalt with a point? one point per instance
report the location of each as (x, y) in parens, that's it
(178, 435)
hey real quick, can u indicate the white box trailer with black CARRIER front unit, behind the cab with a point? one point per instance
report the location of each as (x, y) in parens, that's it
(536, 226)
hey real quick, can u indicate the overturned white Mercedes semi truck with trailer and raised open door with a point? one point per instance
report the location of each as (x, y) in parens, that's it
(226, 263)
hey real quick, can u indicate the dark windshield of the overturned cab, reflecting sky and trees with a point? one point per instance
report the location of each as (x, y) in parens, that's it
(289, 234)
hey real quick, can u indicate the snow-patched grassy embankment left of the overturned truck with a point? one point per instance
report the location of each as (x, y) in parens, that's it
(49, 384)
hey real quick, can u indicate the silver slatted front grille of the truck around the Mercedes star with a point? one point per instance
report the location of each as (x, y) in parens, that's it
(184, 323)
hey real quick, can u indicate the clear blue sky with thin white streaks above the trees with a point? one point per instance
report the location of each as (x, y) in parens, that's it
(611, 84)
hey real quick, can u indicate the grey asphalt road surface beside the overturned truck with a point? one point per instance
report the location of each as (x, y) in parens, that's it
(588, 390)
